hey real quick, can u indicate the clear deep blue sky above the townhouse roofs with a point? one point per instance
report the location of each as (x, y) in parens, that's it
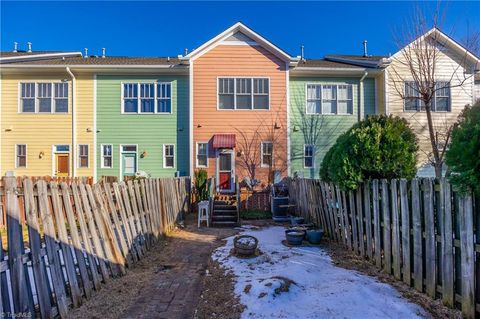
(167, 28)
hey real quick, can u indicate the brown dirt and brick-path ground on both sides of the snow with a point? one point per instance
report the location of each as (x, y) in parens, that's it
(178, 279)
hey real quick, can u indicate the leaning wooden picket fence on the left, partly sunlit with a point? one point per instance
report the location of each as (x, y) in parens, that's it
(79, 236)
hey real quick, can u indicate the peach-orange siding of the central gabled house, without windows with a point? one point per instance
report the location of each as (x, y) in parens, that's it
(240, 61)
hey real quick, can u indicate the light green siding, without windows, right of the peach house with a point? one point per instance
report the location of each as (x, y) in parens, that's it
(323, 130)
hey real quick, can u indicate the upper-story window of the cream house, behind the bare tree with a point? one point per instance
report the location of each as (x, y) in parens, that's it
(441, 101)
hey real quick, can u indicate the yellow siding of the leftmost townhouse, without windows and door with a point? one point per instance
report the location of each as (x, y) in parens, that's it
(40, 132)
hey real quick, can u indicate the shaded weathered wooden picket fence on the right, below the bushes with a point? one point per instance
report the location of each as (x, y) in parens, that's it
(421, 231)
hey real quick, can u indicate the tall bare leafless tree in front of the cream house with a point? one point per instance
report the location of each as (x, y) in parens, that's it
(417, 78)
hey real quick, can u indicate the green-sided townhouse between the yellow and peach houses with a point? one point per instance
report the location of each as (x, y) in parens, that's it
(142, 125)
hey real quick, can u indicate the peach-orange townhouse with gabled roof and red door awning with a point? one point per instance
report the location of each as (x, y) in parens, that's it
(239, 108)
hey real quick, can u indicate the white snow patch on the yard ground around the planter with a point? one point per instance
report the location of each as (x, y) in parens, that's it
(318, 289)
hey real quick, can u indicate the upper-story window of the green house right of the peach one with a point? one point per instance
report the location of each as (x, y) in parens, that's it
(329, 99)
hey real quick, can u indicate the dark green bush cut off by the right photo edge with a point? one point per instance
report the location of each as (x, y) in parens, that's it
(463, 156)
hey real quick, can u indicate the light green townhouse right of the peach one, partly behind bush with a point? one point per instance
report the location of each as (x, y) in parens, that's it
(322, 107)
